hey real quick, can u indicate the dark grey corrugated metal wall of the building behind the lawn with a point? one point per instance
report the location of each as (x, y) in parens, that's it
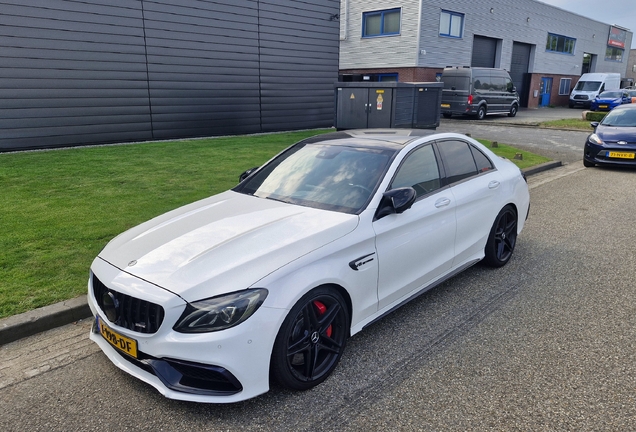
(76, 73)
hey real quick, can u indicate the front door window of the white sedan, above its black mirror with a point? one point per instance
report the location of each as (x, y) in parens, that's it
(419, 170)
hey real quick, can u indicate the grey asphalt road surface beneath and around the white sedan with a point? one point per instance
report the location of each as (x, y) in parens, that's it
(545, 343)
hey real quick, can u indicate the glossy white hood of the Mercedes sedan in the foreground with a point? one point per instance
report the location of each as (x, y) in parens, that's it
(224, 243)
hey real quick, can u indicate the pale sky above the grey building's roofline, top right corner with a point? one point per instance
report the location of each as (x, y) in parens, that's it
(619, 12)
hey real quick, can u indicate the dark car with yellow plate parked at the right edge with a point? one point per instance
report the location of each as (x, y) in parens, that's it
(614, 139)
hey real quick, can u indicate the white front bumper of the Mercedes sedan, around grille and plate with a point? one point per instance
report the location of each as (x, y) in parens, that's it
(218, 367)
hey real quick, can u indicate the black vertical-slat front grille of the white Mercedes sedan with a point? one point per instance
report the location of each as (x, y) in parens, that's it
(132, 313)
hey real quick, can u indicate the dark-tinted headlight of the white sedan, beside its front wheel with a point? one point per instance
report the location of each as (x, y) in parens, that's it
(220, 313)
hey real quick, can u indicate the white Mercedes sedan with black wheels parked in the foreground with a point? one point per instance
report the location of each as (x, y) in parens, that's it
(266, 281)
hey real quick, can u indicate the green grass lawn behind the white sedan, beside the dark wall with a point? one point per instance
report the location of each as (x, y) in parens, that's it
(59, 208)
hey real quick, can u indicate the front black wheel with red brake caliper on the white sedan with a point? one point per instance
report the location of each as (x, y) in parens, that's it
(311, 340)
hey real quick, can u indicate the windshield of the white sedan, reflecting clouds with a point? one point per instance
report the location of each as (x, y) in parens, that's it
(330, 177)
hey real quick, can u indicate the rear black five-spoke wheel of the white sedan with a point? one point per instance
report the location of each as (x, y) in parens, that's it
(502, 238)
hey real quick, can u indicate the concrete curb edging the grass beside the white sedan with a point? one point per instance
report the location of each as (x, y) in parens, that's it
(56, 315)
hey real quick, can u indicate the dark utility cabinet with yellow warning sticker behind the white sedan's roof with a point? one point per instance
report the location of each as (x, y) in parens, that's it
(361, 105)
